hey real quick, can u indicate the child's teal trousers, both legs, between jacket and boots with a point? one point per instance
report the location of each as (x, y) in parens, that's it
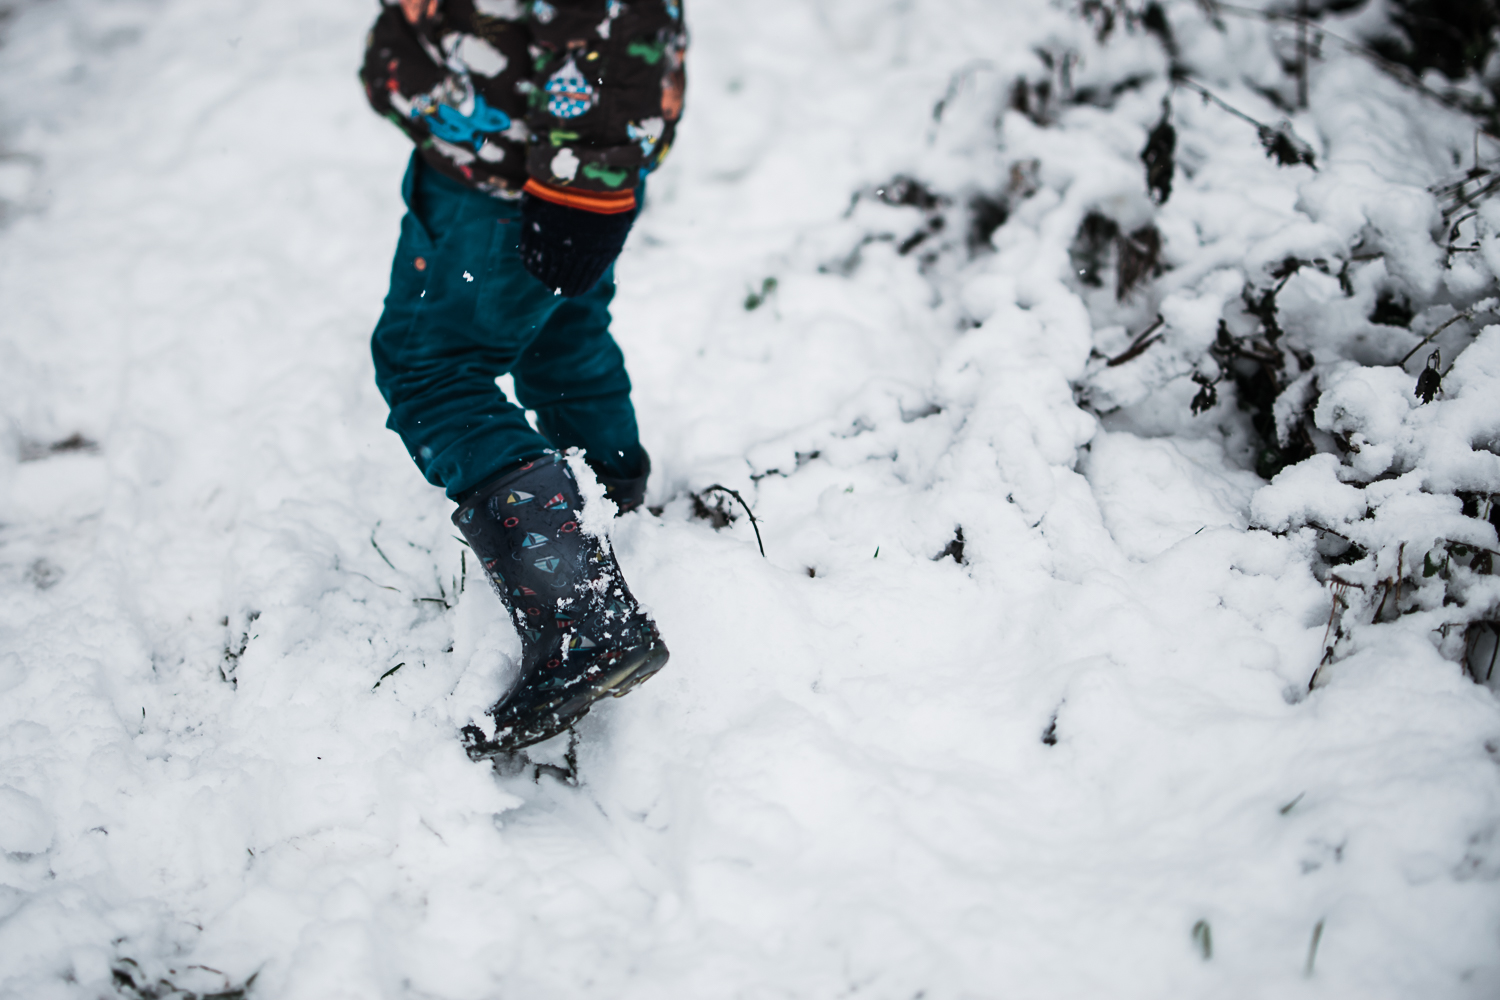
(461, 313)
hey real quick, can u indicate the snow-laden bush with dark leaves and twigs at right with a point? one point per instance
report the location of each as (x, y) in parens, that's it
(1286, 241)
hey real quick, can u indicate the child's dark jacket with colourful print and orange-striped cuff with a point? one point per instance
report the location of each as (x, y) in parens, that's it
(572, 101)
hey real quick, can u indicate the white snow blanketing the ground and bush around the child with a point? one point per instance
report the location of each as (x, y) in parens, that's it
(1075, 758)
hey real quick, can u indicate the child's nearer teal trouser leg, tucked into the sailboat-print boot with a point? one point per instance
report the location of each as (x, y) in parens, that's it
(460, 314)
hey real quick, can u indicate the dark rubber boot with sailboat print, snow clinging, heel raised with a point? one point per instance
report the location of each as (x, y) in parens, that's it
(583, 635)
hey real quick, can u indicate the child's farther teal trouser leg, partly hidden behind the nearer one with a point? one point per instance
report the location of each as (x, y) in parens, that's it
(574, 377)
